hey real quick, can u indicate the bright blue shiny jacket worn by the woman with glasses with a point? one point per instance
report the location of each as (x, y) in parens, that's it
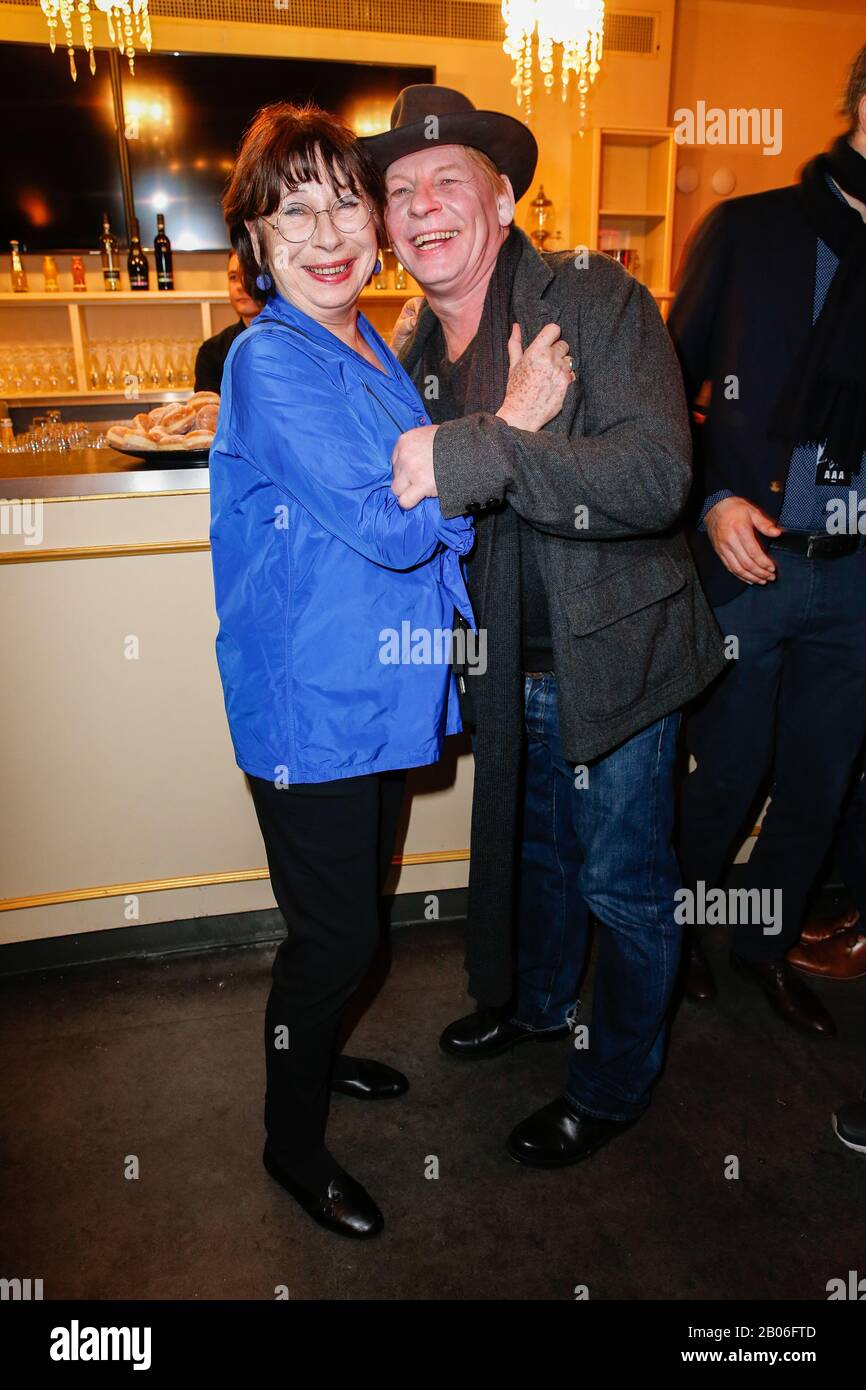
(333, 601)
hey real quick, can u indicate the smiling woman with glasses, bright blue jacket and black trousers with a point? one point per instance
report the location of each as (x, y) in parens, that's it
(318, 571)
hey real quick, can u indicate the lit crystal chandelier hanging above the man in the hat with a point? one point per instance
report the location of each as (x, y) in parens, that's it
(578, 26)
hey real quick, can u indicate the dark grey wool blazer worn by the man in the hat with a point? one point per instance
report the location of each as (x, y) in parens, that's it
(604, 487)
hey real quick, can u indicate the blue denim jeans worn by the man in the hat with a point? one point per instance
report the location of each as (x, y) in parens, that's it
(605, 849)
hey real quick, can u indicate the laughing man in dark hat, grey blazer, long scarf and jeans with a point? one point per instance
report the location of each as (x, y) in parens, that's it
(597, 628)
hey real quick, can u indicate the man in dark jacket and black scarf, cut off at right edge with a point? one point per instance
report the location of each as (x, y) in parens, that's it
(771, 311)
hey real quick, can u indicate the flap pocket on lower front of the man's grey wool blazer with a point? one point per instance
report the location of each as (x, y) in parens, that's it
(629, 636)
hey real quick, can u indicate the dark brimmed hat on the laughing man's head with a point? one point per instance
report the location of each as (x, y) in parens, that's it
(503, 138)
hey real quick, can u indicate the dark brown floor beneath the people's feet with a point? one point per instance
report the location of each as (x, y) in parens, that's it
(163, 1061)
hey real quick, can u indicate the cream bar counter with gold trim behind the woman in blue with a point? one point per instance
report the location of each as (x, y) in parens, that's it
(126, 804)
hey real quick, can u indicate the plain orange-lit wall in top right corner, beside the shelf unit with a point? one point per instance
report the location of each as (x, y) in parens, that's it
(740, 55)
